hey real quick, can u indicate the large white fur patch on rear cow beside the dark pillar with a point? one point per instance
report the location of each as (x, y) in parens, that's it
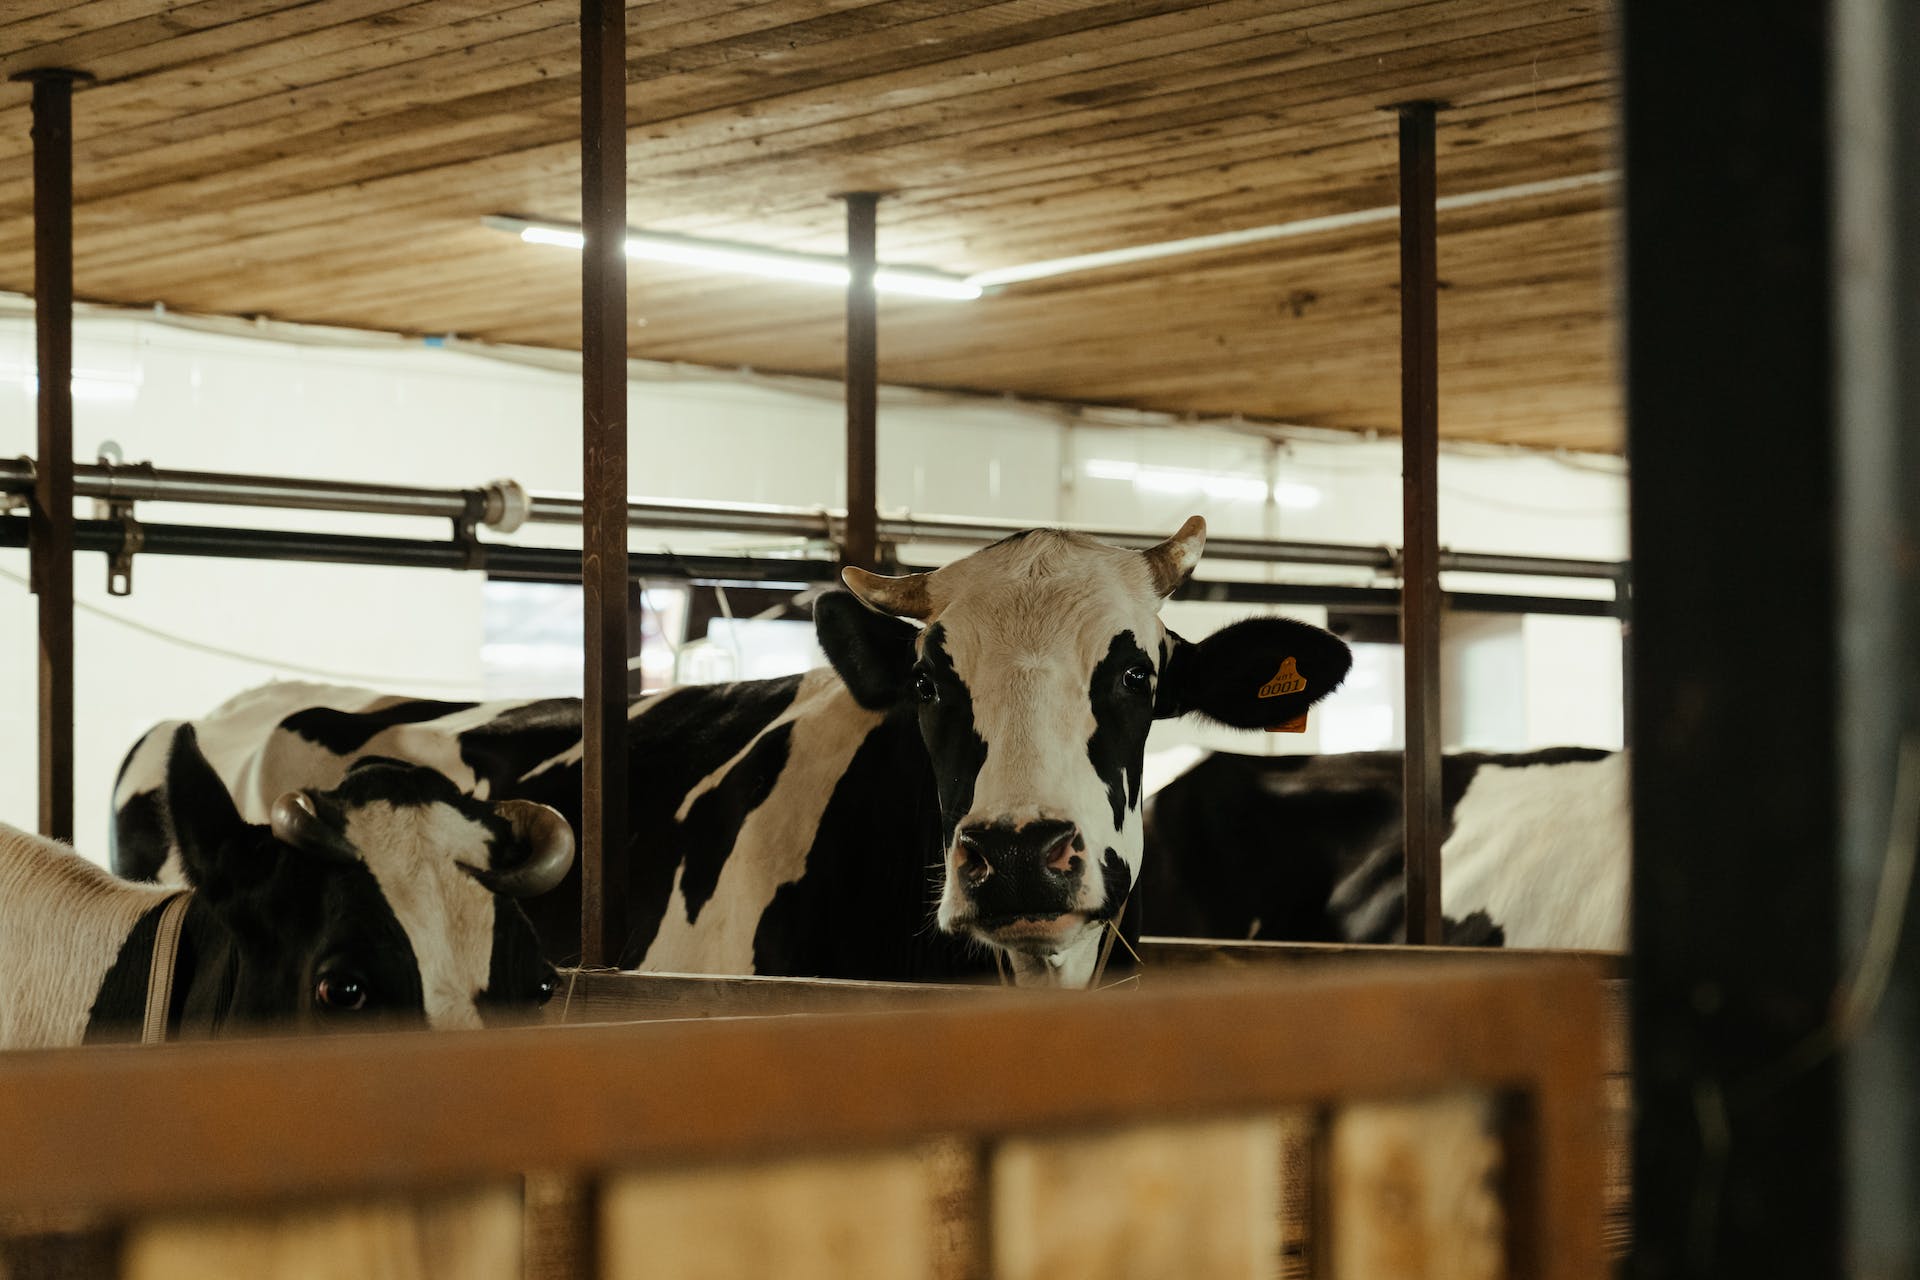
(1545, 853)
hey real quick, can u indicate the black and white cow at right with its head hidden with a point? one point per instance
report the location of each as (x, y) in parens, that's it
(1308, 849)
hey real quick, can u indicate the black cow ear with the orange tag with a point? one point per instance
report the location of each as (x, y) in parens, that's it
(1255, 675)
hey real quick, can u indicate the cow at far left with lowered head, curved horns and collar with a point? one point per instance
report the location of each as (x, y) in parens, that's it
(387, 899)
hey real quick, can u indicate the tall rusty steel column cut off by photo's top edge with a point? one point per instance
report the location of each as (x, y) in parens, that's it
(604, 803)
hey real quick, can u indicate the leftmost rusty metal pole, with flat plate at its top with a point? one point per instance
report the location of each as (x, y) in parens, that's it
(51, 510)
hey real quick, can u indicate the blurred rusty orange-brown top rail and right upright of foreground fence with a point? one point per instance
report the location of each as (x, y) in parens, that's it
(156, 1129)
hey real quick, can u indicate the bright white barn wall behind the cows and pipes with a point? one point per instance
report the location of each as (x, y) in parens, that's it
(439, 417)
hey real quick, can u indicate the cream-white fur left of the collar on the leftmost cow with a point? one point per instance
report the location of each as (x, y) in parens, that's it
(62, 924)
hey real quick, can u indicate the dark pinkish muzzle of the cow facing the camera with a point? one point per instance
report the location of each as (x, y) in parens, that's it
(1020, 886)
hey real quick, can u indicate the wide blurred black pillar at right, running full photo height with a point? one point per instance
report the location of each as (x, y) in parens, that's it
(1737, 828)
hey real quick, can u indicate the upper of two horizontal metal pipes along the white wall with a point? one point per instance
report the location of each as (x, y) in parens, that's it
(765, 521)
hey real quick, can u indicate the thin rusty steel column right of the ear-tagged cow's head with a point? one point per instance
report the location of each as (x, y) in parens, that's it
(1420, 557)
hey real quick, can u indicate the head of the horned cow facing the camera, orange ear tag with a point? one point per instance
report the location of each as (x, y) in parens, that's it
(1036, 669)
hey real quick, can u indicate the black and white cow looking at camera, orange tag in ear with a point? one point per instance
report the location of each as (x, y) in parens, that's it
(965, 780)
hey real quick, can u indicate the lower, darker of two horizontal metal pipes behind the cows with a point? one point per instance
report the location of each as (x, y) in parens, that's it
(564, 565)
